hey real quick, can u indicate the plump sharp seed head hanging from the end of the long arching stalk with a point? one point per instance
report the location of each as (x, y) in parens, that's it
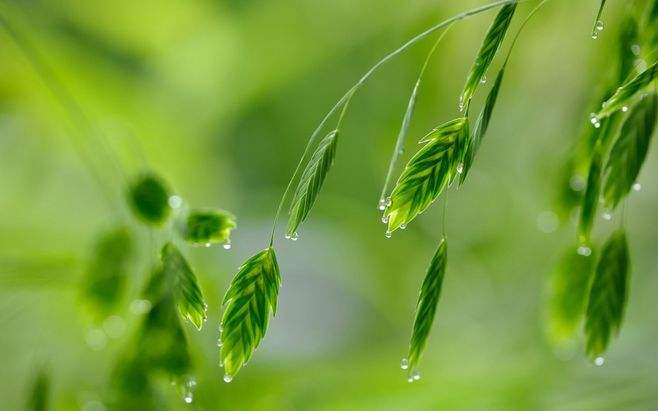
(248, 304)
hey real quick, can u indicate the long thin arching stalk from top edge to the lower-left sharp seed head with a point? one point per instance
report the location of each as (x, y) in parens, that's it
(363, 79)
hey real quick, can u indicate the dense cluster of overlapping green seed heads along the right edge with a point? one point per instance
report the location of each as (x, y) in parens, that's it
(612, 150)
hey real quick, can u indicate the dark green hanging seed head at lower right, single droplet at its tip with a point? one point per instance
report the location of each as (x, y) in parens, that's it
(608, 295)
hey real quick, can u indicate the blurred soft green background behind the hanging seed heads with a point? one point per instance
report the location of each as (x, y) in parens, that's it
(219, 98)
